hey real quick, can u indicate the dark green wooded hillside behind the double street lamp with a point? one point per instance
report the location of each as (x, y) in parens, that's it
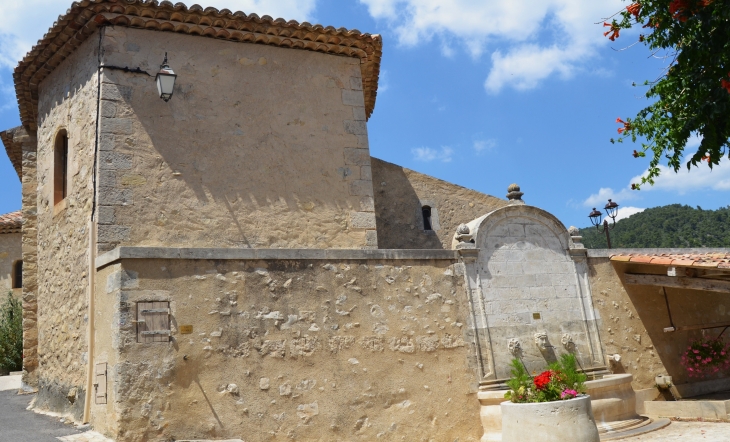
(666, 227)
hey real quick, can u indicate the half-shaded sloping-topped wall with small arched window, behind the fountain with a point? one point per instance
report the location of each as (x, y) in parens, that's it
(399, 195)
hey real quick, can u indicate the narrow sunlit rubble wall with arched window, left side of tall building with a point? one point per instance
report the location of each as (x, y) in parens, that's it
(67, 100)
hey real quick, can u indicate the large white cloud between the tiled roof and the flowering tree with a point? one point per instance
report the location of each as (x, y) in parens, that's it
(534, 39)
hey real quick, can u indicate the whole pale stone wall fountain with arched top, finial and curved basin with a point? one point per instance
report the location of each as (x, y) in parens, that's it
(530, 299)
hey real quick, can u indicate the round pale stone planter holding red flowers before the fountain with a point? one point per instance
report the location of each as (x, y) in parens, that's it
(559, 421)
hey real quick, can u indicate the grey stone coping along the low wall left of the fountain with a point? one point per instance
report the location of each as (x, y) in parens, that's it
(124, 252)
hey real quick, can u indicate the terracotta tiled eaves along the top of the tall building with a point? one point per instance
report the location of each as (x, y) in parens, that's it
(85, 17)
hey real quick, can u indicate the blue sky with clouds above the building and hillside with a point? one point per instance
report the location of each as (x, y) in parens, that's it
(480, 93)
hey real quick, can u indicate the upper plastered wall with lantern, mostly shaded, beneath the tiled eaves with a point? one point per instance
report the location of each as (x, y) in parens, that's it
(259, 147)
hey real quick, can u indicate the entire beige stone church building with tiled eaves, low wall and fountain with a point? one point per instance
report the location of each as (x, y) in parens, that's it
(232, 262)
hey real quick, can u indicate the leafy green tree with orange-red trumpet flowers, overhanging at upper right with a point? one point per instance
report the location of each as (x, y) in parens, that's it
(692, 96)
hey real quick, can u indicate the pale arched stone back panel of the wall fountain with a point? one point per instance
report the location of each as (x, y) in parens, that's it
(531, 290)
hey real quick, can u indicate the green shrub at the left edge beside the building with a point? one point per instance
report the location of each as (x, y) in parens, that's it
(11, 335)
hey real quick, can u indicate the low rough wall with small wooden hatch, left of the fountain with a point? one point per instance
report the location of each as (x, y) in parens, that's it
(300, 350)
